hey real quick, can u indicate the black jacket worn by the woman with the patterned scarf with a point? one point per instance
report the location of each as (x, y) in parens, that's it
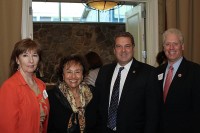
(60, 112)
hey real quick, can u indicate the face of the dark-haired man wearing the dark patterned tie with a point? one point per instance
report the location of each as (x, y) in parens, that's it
(123, 50)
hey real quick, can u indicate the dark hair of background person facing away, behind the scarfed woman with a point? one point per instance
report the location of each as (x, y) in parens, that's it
(94, 60)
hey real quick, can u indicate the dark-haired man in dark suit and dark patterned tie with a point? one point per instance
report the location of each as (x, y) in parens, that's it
(138, 101)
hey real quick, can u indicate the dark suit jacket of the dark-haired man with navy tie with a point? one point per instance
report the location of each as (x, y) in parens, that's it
(138, 110)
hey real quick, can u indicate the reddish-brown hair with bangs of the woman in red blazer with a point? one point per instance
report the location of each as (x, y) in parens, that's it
(21, 47)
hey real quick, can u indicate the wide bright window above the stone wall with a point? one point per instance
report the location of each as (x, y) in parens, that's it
(76, 12)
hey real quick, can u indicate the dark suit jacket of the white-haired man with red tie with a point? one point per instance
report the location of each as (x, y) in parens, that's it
(181, 111)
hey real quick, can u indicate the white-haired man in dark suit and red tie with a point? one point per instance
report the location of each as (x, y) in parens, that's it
(181, 101)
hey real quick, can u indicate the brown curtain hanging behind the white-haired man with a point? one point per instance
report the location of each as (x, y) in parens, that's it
(184, 15)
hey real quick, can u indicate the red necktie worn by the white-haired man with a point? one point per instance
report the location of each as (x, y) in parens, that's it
(168, 82)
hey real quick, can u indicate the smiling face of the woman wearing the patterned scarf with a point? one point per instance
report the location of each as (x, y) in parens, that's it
(73, 74)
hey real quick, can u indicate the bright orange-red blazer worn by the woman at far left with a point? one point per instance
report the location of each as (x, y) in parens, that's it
(19, 108)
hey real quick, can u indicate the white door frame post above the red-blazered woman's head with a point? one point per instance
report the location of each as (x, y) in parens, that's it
(27, 24)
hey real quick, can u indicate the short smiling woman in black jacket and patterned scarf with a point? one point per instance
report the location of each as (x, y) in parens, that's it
(69, 99)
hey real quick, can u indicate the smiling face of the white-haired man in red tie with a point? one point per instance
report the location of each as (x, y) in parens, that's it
(173, 48)
